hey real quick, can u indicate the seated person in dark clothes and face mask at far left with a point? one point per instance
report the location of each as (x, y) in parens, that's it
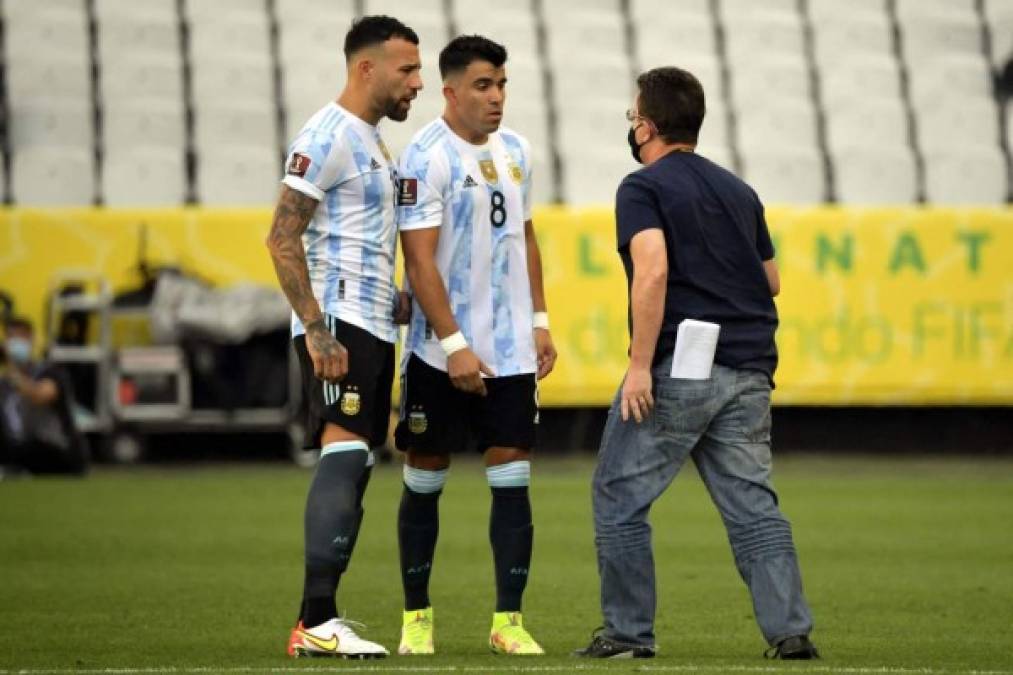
(37, 430)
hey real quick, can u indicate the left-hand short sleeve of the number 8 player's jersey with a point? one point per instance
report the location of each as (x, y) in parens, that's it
(423, 187)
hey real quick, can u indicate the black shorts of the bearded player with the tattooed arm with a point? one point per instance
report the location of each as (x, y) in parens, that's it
(360, 403)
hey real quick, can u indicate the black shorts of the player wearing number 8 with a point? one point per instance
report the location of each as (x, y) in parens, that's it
(438, 419)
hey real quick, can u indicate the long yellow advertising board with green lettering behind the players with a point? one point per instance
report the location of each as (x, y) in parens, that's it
(879, 307)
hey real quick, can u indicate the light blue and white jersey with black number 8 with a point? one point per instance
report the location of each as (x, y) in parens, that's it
(481, 197)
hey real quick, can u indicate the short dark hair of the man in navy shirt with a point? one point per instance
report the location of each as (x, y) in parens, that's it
(673, 99)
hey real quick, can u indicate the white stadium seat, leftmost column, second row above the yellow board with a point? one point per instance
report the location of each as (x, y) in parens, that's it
(51, 122)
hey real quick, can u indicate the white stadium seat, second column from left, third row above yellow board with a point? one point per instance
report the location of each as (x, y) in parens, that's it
(142, 78)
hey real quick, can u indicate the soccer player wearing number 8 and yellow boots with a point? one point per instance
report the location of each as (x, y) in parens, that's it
(480, 334)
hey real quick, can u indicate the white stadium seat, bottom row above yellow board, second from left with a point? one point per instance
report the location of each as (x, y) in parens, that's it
(139, 176)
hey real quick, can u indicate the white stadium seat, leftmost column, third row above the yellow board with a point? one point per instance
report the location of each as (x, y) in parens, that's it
(29, 77)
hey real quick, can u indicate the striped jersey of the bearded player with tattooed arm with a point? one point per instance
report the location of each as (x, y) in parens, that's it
(342, 162)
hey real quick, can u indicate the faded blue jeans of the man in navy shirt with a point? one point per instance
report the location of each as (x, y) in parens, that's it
(725, 424)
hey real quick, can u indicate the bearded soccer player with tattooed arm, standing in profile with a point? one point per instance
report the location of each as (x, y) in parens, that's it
(333, 243)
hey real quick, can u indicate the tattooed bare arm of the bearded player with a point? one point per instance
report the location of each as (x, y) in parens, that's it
(292, 217)
